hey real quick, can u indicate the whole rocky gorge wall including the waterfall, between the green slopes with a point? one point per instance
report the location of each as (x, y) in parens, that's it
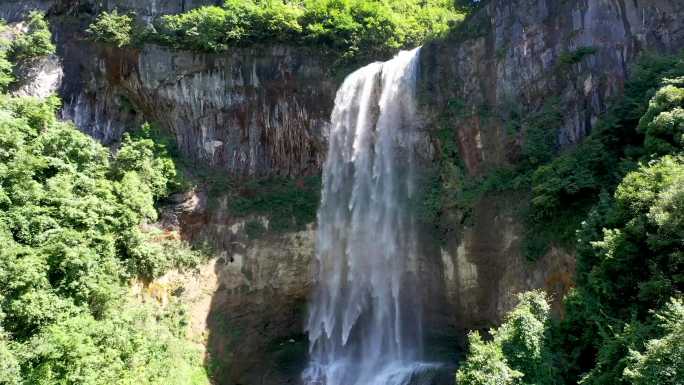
(266, 303)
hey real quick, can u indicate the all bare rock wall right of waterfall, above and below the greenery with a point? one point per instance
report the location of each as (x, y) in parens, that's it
(511, 58)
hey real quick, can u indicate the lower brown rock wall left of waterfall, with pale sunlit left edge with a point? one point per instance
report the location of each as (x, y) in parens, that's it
(256, 289)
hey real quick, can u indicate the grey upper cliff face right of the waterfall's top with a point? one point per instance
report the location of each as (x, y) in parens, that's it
(512, 57)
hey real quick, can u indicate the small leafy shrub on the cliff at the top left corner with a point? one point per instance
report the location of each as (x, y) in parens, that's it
(36, 42)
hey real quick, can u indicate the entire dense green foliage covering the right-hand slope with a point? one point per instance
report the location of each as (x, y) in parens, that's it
(624, 320)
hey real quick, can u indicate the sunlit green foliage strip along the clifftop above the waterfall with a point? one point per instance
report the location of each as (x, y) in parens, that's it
(357, 30)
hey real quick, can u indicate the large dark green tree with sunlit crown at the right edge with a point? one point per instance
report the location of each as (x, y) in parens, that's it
(629, 262)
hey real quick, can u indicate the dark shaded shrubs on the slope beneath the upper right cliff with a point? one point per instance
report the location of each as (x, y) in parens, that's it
(564, 189)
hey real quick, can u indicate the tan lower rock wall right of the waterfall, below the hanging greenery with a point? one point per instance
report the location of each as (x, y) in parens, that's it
(483, 269)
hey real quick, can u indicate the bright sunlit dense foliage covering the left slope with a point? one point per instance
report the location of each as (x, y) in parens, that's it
(71, 236)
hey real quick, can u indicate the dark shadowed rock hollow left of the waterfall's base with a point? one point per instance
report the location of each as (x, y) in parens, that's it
(254, 336)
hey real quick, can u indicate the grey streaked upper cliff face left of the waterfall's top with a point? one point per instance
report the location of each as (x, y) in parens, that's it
(251, 111)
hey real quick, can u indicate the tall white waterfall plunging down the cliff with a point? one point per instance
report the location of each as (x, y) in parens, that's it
(364, 322)
